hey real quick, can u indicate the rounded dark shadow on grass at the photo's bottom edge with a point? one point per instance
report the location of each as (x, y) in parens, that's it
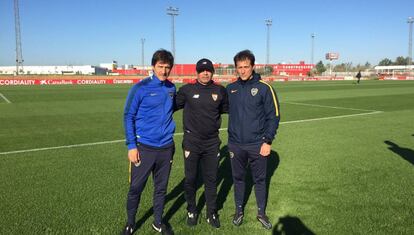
(289, 225)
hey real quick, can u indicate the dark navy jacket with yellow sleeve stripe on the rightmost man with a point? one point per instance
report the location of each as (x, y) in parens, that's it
(253, 111)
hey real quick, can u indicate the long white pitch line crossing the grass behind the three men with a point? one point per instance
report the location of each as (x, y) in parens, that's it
(177, 134)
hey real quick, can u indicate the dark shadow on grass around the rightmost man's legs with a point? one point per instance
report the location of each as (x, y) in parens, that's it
(272, 164)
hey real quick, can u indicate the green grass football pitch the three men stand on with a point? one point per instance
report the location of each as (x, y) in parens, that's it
(343, 163)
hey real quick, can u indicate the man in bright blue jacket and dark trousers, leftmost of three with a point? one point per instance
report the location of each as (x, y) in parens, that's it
(149, 129)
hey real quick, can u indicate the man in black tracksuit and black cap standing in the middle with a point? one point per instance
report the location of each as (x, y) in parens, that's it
(203, 104)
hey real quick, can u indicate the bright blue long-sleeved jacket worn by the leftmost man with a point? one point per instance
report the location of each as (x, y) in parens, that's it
(148, 113)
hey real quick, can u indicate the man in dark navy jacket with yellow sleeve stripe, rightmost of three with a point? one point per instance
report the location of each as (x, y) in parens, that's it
(253, 120)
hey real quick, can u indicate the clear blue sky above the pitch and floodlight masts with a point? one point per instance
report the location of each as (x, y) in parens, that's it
(90, 32)
